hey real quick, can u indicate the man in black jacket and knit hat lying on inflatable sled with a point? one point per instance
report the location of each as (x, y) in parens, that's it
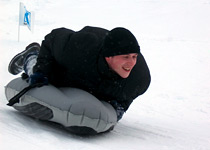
(106, 64)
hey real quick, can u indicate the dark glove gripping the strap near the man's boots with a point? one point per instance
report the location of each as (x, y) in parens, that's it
(38, 77)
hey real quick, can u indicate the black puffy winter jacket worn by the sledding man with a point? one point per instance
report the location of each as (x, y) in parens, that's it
(74, 59)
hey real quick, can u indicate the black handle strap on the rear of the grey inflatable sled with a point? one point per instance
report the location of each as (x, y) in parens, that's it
(16, 98)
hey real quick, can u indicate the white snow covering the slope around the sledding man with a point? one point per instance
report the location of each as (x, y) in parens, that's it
(174, 35)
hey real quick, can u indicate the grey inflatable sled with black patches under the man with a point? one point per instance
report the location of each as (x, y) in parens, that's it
(75, 109)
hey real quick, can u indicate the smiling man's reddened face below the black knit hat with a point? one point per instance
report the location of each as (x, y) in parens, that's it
(122, 64)
